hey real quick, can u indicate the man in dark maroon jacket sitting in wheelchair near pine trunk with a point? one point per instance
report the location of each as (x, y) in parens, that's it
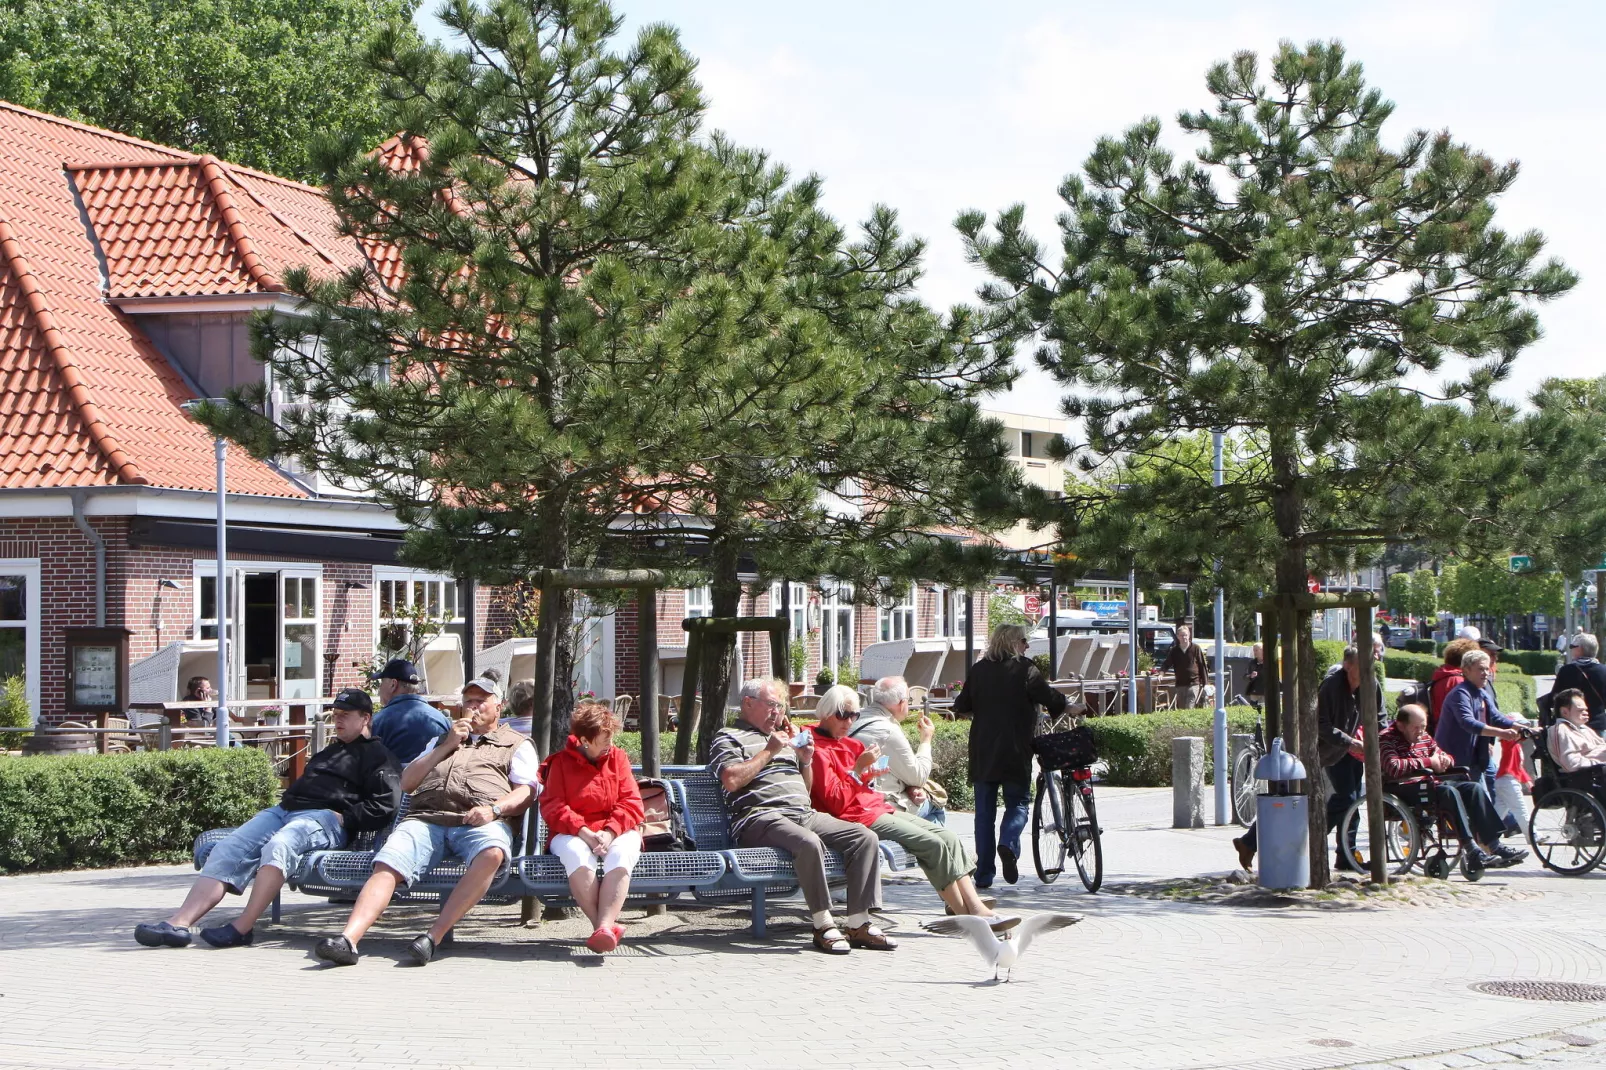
(1414, 759)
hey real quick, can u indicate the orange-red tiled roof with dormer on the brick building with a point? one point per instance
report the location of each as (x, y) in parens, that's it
(89, 218)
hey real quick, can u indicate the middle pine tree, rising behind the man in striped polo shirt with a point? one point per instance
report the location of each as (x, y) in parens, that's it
(828, 419)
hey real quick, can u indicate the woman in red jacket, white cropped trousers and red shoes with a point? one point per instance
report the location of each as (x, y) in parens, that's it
(593, 809)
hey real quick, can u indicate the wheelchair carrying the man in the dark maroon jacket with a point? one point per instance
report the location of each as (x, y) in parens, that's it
(1417, 831)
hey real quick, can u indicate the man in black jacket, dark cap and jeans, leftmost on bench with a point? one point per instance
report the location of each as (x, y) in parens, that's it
(351, 786)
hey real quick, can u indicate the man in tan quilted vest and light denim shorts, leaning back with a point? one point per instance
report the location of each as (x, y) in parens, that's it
(462, 793)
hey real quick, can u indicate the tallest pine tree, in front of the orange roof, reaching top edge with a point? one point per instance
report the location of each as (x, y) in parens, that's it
(545, 203)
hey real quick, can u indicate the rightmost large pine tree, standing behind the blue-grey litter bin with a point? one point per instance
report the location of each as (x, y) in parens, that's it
(1294, 284)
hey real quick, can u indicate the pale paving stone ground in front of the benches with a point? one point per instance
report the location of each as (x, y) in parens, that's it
(1139, 986)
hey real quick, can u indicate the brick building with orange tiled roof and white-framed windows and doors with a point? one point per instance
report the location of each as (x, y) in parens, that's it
(128, 277)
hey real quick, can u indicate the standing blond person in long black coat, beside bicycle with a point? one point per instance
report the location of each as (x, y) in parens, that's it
(1003, 693)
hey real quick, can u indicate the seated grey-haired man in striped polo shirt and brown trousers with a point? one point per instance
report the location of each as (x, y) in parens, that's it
(765, 767)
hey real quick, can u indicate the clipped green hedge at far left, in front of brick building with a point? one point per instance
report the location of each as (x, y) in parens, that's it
(92, 811)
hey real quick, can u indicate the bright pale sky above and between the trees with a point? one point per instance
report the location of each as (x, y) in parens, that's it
(935, 107)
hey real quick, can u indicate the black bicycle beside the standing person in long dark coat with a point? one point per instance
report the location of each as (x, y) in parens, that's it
(1064, 817)
